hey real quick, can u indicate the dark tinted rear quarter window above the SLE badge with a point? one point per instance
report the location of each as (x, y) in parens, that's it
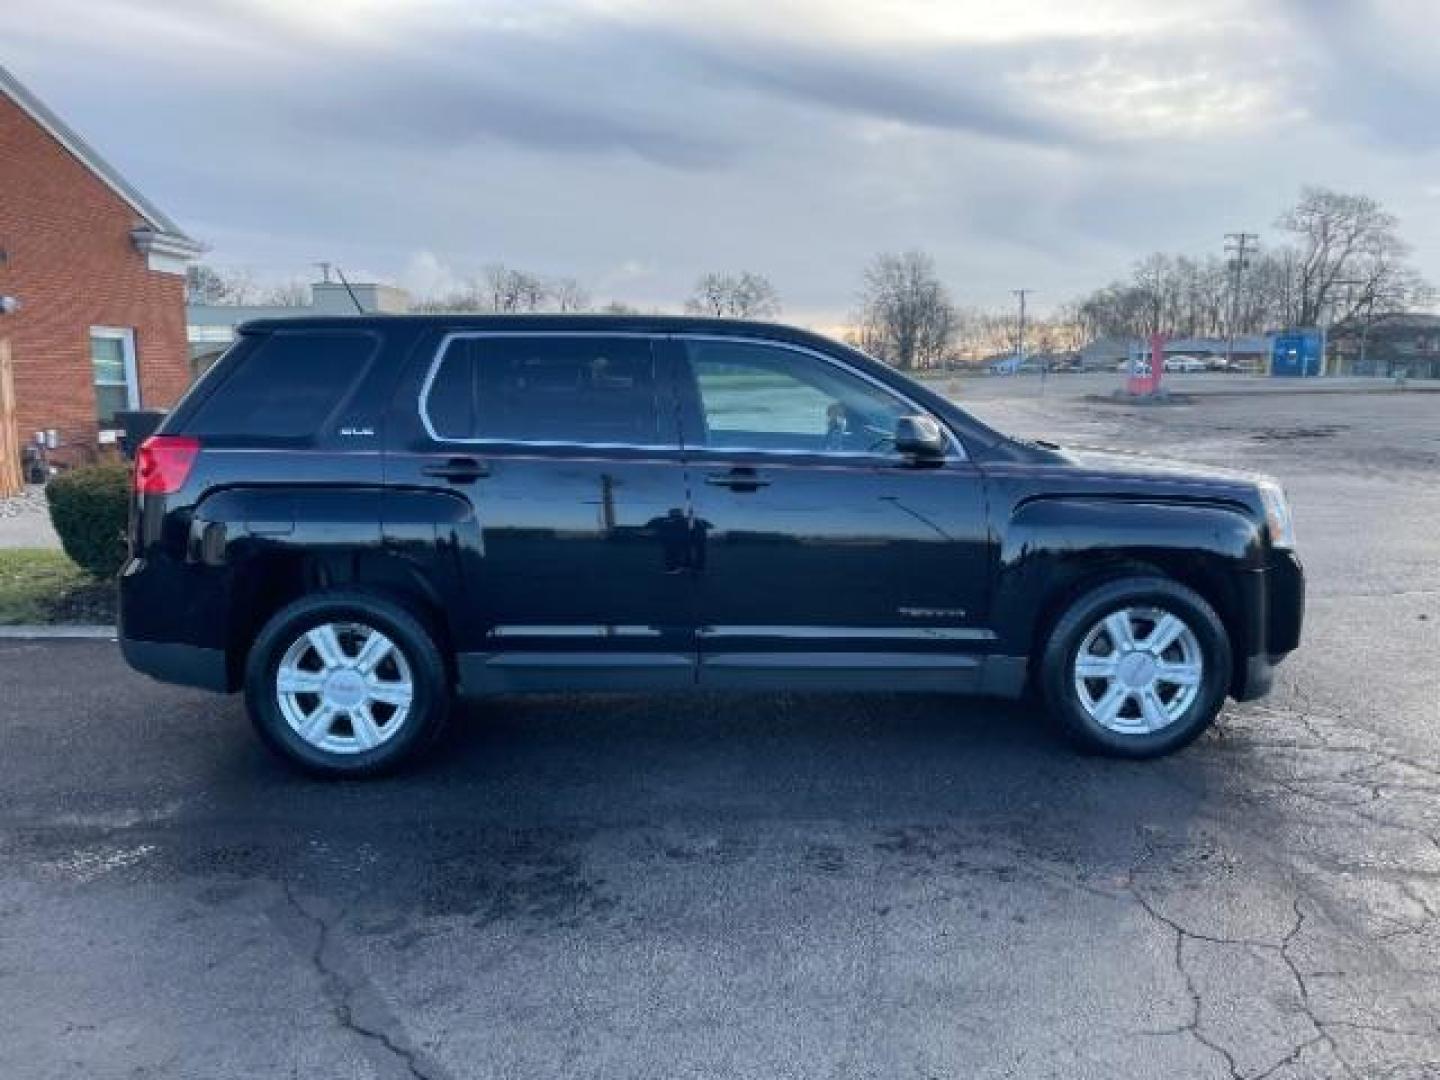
(287, 385)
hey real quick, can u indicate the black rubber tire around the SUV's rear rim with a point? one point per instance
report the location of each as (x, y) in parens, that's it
(428, 709)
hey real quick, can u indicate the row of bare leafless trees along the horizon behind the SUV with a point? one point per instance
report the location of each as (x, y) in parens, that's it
(1337, 257)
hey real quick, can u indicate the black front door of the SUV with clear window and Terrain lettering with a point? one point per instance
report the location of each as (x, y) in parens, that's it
(824, 557)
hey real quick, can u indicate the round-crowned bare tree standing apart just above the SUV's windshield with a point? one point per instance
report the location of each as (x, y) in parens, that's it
(906, 316)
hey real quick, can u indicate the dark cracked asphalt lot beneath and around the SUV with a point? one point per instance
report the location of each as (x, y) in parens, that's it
(774, 886)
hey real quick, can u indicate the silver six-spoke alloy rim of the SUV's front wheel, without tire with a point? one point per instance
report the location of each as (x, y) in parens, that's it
(1138, 670)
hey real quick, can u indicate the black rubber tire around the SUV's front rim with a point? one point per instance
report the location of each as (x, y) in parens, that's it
(1069, 634)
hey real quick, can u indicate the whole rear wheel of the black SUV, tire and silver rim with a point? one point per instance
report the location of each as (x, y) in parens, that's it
(346, 685)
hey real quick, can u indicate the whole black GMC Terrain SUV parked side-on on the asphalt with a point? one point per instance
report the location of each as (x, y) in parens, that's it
(356, 519)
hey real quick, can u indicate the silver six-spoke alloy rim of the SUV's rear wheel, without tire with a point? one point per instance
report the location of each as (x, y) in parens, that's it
(345, 688)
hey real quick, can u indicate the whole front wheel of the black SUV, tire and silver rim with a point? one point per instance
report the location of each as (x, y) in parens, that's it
(1137, 667)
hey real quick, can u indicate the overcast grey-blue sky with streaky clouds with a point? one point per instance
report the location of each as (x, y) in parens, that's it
(1038, 143)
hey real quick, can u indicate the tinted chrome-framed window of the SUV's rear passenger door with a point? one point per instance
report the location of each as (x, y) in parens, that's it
(546, 390)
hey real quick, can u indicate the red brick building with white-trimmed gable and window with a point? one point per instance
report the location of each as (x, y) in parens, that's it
(99, 273)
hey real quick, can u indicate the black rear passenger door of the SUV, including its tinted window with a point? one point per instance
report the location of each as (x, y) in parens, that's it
(552, 464)
